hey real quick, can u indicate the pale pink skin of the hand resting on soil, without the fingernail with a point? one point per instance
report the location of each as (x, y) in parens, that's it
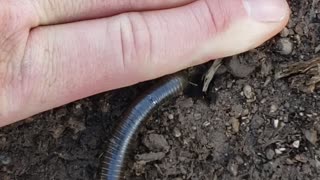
(53, 52)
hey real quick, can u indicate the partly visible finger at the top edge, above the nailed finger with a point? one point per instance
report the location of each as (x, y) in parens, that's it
(62, 11)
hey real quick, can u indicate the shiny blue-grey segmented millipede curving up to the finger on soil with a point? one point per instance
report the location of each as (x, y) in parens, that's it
(114, 156)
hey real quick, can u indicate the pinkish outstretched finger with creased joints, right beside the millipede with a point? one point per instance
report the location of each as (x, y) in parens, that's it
(67, 62)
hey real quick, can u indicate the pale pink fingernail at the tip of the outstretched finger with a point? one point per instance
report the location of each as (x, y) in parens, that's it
(266, 10)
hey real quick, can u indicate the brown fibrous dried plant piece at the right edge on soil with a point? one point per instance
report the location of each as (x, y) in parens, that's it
(303, 75)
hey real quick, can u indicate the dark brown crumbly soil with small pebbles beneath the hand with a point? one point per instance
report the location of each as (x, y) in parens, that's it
(248, 125)
